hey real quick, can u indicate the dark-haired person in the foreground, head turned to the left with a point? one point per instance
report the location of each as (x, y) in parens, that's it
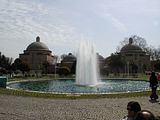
(133, 107)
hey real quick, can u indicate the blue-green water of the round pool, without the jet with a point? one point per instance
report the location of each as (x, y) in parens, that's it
(70, 86)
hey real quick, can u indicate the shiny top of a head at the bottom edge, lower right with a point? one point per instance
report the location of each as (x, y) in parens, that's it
(144, 115)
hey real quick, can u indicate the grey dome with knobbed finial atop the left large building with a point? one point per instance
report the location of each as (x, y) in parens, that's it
(37, 45)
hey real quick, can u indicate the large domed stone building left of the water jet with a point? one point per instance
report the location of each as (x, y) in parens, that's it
(36, 55)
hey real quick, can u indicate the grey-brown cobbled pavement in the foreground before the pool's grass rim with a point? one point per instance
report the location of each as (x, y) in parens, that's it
(28, 108)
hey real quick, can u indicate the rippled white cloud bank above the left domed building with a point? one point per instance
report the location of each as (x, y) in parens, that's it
(21, 21)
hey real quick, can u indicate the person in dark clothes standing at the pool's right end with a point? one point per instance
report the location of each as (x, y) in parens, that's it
(153, 84)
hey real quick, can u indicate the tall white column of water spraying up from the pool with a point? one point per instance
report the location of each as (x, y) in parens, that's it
(86, 69)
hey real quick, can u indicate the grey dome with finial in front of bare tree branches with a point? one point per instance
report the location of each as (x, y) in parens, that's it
(130, 47)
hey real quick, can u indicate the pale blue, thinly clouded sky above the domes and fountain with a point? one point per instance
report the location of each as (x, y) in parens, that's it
(62, 24)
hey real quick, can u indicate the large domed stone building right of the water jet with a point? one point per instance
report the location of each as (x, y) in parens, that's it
(137, 60)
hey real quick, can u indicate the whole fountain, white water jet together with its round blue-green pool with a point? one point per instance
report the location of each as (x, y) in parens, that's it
(86, 78)
